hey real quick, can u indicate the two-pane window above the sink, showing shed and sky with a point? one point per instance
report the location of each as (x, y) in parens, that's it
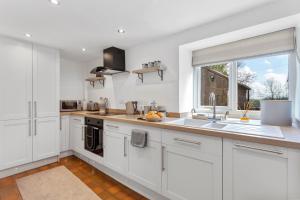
(243, 83)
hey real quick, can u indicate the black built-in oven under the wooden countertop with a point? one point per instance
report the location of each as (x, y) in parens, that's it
(93, 140)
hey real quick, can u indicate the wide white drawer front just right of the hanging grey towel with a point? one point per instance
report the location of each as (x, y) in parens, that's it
(204, 144)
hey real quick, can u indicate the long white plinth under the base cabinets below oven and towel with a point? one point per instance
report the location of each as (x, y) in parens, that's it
(122, 179)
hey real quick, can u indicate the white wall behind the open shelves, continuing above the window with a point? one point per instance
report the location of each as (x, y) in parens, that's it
(121, 88)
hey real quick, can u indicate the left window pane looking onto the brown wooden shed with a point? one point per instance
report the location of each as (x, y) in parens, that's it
(215, 78)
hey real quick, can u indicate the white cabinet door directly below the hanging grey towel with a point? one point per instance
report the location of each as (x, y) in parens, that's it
(145, 164)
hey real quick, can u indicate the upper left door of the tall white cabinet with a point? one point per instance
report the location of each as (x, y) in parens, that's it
(15, 79)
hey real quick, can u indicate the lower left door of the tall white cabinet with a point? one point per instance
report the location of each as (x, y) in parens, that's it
(15, 143)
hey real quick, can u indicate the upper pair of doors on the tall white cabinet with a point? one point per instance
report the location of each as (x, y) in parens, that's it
(29, 80)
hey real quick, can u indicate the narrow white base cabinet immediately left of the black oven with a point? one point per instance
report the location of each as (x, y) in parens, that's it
(77, 134)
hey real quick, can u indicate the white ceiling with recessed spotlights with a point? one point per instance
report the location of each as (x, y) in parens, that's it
(93, 24)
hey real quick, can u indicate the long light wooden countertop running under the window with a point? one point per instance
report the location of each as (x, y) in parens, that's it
(291, 135)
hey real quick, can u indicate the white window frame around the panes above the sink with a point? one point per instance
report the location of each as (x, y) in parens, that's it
(233, 90)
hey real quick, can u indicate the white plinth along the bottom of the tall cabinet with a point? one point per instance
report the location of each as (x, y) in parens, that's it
(26, 167)
